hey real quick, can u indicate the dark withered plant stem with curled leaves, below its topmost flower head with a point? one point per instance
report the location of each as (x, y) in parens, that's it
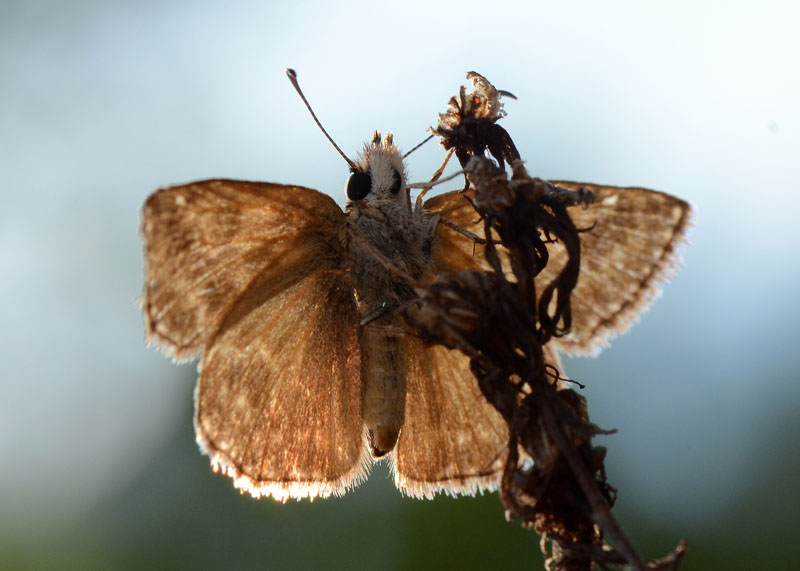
(554, 479)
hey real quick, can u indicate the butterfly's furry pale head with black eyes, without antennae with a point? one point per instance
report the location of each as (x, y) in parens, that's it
(380, 173)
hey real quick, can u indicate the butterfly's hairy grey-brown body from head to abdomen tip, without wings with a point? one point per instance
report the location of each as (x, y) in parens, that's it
(388, 242)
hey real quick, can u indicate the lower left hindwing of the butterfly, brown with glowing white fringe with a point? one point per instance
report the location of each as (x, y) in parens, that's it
(279, 400)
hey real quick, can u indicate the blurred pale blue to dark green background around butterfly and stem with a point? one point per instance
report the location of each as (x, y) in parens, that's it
(103, 102)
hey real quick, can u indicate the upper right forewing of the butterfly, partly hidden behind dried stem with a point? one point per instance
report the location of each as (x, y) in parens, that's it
(630, 248)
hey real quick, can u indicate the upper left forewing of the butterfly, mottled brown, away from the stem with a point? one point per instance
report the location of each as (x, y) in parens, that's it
(205, 242)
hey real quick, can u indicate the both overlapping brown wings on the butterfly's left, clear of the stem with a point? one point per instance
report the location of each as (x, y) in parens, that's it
(252, 275)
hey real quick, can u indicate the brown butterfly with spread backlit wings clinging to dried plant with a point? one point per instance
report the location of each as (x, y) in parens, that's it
(306, 376)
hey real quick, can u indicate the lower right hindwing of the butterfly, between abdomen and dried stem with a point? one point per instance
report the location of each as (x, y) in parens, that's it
(452, 440)
